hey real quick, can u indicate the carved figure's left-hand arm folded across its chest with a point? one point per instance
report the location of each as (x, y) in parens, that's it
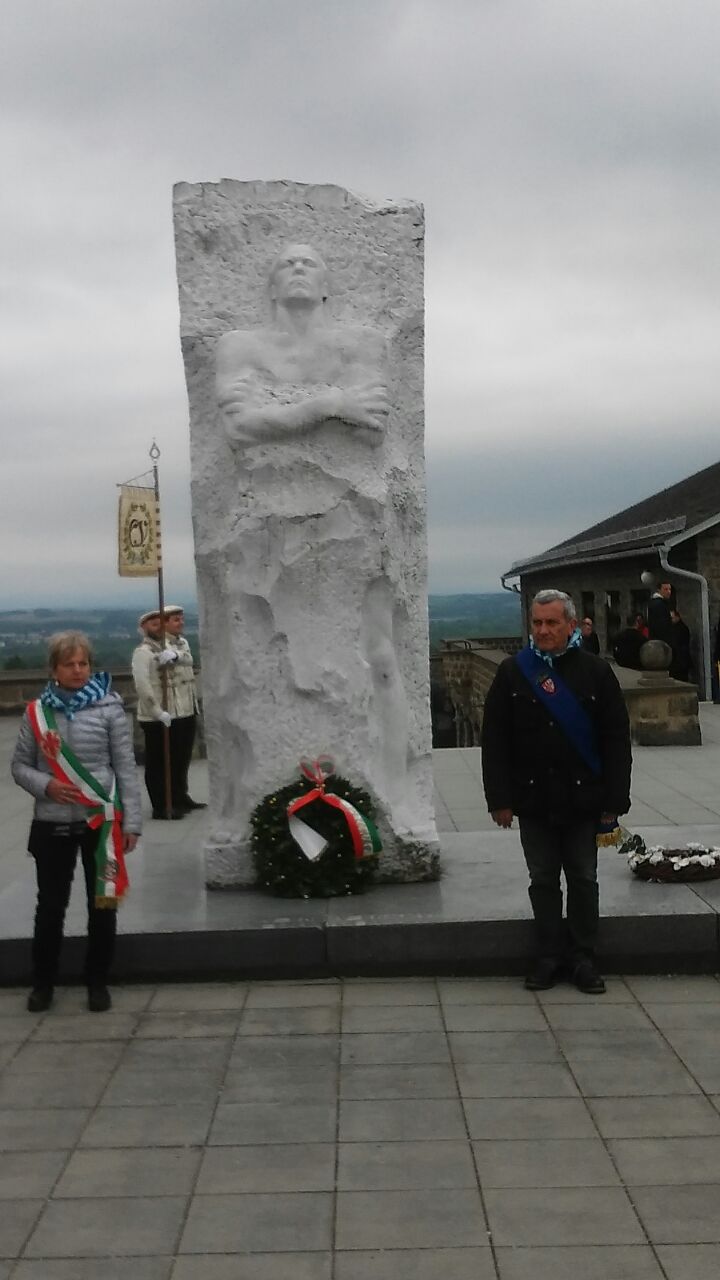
(254, 412)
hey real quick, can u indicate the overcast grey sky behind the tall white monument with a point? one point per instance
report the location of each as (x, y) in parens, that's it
(567, 153)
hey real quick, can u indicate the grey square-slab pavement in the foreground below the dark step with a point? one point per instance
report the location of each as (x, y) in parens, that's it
(363, 1131)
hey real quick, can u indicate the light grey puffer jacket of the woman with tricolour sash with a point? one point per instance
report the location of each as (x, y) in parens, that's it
(101, 738)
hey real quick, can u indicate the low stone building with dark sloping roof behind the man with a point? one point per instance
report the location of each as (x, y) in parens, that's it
(672, 537)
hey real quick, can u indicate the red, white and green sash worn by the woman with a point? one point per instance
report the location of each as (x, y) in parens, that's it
(107, 812)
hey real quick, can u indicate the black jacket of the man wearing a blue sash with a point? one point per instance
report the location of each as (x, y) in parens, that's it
(531, 767)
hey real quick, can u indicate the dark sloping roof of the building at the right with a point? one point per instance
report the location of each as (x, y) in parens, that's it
(648, 523)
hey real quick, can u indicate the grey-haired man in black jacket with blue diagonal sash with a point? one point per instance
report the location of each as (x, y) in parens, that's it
(557, 755)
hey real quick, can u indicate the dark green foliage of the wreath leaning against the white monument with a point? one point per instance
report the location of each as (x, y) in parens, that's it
(280, 863)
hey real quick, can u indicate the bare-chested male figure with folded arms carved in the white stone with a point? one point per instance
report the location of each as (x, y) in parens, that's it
(303, 403)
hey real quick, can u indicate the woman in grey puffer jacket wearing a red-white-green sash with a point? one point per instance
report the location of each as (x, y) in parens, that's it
(75, 757)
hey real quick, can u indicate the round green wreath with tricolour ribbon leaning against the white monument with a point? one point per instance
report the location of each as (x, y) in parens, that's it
(332, 851)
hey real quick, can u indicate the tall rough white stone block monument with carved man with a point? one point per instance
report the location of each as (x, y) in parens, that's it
(302, 313)
